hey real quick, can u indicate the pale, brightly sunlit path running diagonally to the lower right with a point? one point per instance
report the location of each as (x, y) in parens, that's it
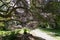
(41, 34)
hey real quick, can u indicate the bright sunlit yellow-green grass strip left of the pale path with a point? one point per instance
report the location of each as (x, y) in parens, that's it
(17, 31)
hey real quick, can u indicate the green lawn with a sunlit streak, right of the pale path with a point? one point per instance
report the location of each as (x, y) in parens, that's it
(52, 32)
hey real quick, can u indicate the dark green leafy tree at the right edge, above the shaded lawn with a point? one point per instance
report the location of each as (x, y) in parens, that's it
(54, 9)
